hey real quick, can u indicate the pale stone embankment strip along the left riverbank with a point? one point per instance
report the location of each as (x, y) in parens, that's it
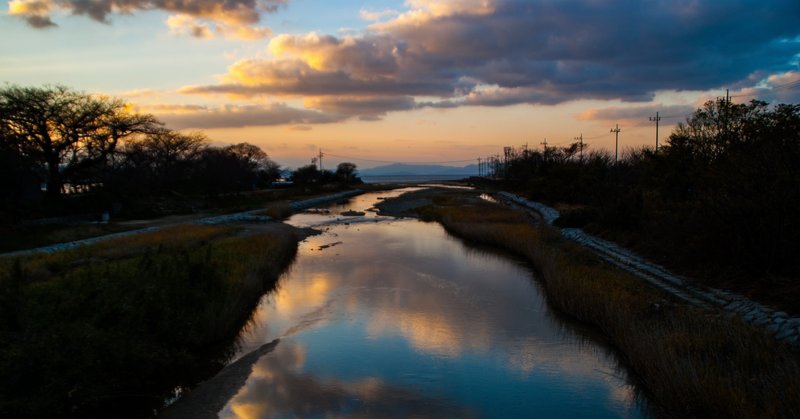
(246, 216)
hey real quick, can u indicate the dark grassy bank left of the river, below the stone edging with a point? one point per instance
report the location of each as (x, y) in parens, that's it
(109, 330)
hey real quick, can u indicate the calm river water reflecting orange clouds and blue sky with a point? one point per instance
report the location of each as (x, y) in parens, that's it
(393, 318)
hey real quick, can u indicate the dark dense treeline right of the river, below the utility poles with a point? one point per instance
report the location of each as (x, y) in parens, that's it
(720, 199)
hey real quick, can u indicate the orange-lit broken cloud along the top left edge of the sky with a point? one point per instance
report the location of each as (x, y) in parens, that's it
(199, 18)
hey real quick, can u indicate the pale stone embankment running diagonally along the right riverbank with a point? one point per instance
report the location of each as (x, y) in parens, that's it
(779, 323)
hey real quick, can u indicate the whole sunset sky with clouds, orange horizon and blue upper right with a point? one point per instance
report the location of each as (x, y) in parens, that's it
(375, 82)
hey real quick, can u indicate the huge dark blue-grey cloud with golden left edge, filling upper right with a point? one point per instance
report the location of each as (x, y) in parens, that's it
(503, 52)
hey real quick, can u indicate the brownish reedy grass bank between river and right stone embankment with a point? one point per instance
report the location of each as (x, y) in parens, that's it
(693, 363)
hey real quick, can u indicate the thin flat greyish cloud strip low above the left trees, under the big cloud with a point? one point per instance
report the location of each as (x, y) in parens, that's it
(231, 116)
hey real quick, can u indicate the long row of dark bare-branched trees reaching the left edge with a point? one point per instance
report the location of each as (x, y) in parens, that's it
(55, 141)
